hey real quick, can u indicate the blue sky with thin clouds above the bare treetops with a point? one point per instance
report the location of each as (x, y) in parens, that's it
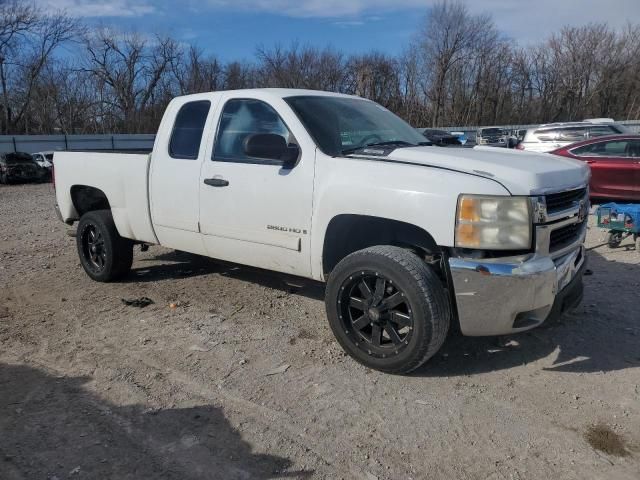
(233, 28)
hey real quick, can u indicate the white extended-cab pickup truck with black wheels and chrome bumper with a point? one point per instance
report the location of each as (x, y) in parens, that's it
(411, 239)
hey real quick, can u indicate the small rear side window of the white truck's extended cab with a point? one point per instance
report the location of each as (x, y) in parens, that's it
(187, 130)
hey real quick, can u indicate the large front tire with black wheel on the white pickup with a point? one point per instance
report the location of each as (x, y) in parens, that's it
(387, 308)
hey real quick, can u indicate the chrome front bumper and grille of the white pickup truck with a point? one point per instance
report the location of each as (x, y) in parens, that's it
(508, 295)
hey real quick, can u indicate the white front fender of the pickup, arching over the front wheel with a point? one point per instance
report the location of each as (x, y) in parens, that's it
(419, 195)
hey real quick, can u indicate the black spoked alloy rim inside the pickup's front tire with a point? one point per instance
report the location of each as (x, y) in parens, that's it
(375, 314)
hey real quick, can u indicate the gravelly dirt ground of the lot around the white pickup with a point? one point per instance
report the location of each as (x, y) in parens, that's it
(93, 388)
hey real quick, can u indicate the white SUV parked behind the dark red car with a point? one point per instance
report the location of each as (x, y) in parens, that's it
(552, 136)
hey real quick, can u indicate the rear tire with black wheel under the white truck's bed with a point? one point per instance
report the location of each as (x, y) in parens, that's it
(104, 254)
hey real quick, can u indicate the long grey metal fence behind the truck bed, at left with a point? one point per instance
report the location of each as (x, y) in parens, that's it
(42, 143)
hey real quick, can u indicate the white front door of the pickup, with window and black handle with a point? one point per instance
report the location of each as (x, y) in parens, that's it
(252, 210)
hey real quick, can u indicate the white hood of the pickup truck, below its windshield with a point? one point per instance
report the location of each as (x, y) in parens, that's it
(520, 172)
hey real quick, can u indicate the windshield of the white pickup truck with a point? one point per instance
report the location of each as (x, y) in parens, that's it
(341, 125)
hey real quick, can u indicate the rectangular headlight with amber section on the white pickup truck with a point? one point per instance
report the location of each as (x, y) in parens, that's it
(493, 223)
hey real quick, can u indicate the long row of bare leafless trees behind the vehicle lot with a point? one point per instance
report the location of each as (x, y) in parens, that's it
(458, 70)
